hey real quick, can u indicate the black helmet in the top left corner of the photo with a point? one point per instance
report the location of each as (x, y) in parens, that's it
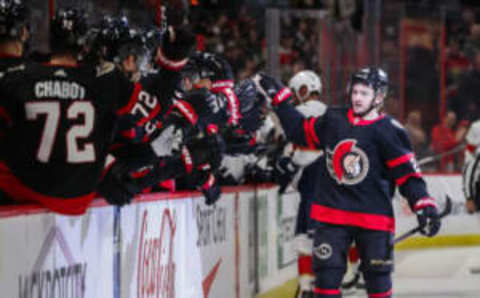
(13, 17)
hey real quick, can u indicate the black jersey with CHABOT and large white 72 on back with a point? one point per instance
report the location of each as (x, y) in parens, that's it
(62, 123)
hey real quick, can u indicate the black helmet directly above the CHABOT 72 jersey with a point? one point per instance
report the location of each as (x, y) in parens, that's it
(68, 30)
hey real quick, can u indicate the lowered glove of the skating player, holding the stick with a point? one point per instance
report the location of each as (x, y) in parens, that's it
(427, 216)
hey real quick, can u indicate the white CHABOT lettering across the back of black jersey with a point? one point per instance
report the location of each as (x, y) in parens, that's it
(59, 89)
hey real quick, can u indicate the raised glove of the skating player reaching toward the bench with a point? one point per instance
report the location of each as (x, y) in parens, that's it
(271, 89)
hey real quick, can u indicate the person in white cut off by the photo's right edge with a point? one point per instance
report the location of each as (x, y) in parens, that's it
(471, 169)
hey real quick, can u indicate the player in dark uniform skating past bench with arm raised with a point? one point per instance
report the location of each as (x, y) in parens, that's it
(367, 155)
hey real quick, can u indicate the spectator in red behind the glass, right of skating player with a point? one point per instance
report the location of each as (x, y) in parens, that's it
(445, 137)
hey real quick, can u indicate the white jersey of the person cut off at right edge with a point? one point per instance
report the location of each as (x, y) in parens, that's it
(471, 168)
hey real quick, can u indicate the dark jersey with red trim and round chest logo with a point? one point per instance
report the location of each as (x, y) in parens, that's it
(365, 161)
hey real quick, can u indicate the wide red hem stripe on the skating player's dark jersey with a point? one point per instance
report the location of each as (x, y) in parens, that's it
(351, 218)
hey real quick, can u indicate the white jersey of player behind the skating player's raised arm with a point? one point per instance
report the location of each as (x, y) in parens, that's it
(305, 156)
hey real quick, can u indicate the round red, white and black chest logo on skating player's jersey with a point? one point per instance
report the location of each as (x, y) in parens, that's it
(347, 164)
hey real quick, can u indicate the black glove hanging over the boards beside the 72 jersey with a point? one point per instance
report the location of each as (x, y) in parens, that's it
(117, 187)
